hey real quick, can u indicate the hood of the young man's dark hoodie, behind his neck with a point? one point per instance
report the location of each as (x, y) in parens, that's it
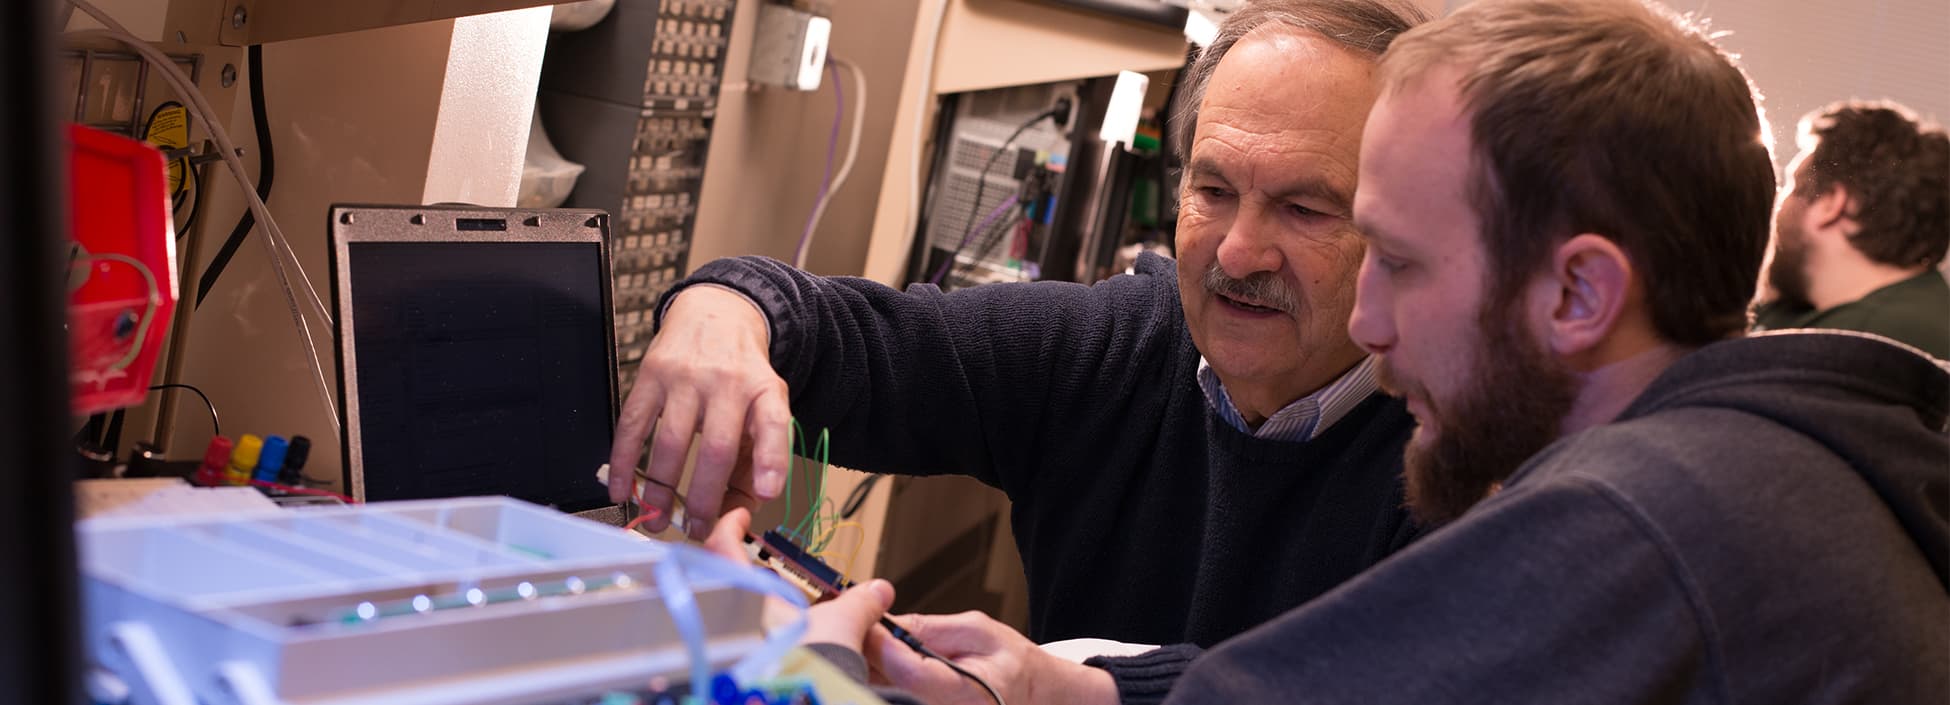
(1877, 404)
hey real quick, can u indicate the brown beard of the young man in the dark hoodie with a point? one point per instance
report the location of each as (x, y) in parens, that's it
(1510, 408)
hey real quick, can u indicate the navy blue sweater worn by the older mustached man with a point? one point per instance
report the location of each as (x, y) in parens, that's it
(1140, 513)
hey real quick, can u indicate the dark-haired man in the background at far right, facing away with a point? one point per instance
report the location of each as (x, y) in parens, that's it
(1863, 225)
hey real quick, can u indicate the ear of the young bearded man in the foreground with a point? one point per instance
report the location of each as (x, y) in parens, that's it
(1592, 279)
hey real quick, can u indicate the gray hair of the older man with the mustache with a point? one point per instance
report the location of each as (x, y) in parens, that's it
(1364, 26)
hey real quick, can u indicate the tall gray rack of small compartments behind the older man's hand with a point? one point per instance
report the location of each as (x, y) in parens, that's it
(639, 116)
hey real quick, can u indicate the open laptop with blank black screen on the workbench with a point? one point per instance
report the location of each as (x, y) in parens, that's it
(477, 353)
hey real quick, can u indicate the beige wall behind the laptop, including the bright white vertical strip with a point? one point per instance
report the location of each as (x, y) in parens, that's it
(389, 116)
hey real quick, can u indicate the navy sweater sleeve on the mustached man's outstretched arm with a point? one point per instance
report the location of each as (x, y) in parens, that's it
(962, 383)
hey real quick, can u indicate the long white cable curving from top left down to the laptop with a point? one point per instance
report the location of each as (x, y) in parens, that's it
(227, 149)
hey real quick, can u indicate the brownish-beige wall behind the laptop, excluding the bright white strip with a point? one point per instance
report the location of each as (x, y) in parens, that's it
(352, 120)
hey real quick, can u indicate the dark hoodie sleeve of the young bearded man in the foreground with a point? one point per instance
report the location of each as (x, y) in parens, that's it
(1543, 595)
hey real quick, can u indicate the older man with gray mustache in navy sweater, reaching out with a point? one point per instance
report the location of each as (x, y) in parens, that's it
(1192, 449)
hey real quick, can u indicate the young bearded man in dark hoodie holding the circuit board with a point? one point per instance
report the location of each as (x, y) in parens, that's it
(1567, 205)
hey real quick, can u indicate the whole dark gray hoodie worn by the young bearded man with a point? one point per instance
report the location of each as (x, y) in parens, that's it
(1768, 523)
